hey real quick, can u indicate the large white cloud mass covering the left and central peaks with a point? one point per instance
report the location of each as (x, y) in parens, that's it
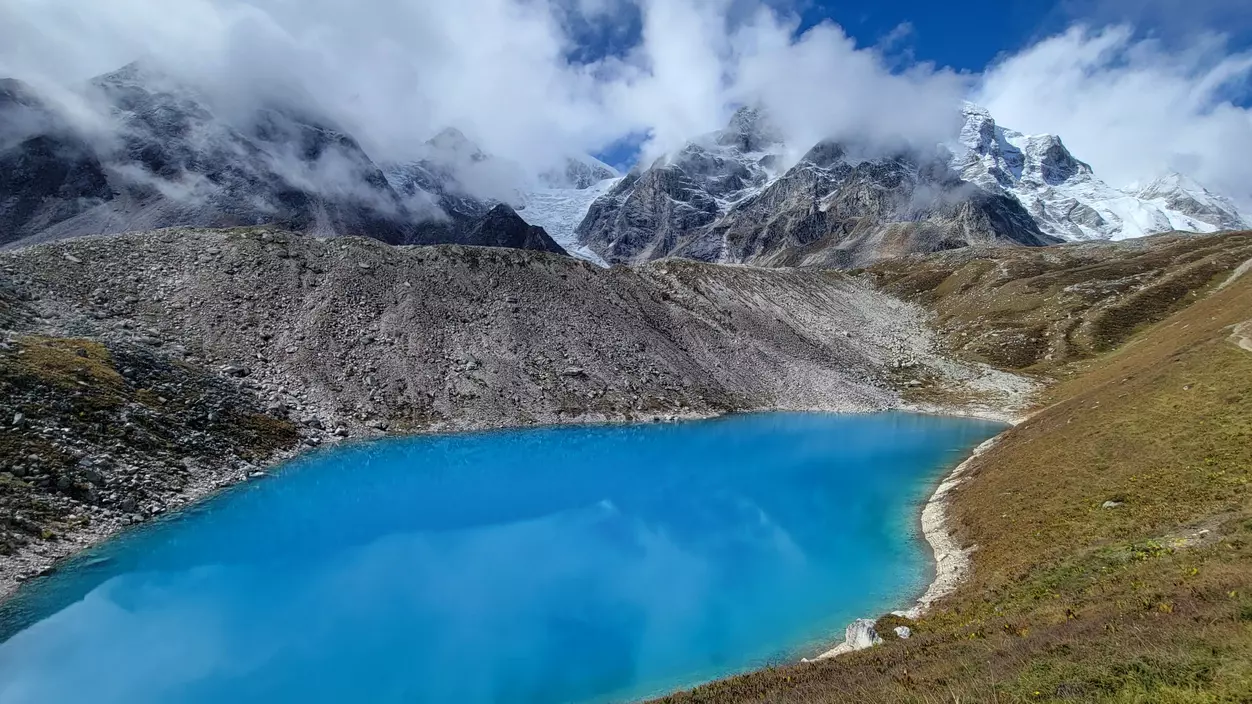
(396, 72)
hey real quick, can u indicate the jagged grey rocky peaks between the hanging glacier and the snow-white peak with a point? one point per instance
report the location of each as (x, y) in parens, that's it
(721, 200)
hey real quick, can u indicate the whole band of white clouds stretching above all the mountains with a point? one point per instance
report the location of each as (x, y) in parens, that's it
(534, 81)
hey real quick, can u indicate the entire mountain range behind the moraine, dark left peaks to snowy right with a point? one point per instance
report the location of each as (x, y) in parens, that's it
(171, 155)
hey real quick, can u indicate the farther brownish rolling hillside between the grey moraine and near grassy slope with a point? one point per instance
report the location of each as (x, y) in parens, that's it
(1039, 310)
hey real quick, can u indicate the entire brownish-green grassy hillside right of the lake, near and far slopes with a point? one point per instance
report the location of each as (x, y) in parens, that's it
(1149, 599)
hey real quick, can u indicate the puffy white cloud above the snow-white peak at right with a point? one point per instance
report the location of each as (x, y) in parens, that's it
(1131, 107)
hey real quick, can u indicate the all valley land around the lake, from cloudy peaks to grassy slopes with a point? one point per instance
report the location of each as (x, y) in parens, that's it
(195, 290)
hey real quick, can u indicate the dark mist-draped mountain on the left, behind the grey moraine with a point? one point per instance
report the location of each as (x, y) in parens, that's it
(171, 157)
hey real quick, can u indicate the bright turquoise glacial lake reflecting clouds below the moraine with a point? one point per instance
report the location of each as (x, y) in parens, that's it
(577, 564)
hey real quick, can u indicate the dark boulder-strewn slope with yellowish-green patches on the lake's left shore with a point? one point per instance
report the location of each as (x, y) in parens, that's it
(87, 428)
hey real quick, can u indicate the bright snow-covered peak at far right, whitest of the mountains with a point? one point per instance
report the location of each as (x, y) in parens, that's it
(1065, 196)
